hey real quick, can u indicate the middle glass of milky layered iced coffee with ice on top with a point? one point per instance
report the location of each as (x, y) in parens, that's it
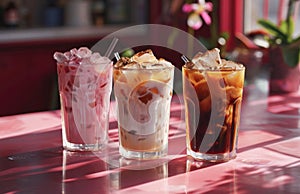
(143, 87)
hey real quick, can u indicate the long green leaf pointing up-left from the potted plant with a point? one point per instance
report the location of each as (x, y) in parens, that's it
(273, 29)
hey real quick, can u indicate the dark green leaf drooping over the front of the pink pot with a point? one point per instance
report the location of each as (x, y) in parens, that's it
(291, 56)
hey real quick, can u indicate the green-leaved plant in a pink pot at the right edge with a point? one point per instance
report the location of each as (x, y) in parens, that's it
(284, 52)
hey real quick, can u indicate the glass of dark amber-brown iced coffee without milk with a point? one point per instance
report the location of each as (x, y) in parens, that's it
(212, 89)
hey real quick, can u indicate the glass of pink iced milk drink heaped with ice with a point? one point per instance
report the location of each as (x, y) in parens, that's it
(85, 84)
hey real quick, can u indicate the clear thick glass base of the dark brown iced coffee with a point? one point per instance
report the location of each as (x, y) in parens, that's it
(212, 157)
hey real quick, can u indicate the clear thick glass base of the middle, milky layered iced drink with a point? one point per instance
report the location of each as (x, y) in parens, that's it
(142, 155)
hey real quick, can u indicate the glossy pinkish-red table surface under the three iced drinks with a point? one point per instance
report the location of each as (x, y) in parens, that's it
(32, 160)
